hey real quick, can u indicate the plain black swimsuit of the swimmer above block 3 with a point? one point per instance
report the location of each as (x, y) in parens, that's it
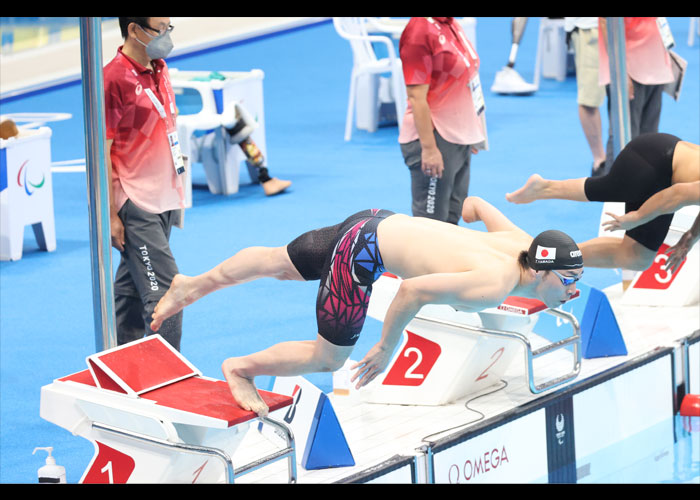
(643, 168)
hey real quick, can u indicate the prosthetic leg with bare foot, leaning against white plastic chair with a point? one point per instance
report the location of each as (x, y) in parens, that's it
(240, 125)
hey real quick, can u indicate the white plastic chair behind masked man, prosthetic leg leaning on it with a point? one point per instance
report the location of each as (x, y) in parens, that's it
(200, 97)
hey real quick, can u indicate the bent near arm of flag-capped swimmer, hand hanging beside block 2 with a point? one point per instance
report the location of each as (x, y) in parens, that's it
(475, 290)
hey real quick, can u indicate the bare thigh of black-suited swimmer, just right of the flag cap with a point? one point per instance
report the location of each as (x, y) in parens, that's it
(611, 253)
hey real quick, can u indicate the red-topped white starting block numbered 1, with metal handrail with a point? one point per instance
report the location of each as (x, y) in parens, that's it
(153, 418)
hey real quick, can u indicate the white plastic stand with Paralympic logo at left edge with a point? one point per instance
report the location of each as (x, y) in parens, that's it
(26, 192)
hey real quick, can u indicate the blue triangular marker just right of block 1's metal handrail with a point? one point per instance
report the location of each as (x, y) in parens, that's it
(326, 446)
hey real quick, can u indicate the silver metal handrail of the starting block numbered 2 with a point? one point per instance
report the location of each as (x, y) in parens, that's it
(530, 355)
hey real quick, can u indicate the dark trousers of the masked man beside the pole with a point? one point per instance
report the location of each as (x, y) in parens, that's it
(144, 275)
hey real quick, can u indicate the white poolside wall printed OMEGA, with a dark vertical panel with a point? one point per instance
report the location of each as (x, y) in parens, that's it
(572, 435)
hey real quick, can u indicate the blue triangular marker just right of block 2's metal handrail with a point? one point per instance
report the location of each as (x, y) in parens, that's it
(600, 333)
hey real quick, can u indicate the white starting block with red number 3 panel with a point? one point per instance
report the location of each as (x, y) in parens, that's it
(656, 286)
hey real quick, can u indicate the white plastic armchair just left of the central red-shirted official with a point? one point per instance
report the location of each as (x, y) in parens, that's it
(367, 65)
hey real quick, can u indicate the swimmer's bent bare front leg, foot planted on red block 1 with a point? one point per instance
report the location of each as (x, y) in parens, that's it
(286, 359)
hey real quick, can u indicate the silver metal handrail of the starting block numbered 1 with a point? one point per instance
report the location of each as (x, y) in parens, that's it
(289, 452)
